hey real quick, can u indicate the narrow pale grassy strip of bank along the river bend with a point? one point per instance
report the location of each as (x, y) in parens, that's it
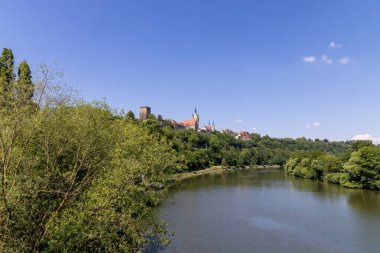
(221, 169)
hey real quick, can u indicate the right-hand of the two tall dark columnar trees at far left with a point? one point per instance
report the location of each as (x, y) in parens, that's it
(24, 85)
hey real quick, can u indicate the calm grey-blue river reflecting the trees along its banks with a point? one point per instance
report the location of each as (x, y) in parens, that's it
(267, 211)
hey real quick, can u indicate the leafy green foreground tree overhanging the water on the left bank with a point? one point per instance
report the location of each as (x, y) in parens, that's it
(116, 214)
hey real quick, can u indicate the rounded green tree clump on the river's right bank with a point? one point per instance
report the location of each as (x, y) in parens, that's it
(357, 168)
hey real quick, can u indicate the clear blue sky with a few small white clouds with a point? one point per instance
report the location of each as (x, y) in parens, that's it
(264, 65)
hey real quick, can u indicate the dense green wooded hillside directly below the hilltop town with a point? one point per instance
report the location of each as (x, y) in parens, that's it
(200, 150)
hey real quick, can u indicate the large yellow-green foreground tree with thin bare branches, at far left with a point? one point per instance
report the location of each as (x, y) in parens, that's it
(53, 161)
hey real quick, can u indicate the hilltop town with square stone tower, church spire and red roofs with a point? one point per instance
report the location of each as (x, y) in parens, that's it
(193, 123)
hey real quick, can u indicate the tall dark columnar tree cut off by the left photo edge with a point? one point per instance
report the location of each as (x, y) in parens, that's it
(6, 76)
